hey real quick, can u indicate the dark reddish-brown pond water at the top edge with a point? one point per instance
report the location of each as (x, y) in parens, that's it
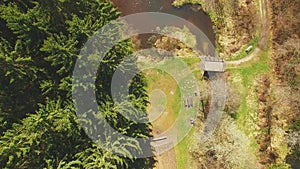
(187, 12)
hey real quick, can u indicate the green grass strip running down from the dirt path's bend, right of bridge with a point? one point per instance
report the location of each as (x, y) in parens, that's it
(243, 78)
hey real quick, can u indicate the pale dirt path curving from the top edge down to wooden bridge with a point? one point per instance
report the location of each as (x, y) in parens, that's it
(263, 39)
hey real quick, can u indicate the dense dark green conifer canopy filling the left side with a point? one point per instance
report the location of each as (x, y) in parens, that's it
(39, 44)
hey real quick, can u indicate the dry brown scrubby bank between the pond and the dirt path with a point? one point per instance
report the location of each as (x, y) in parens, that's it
(235, 22)
